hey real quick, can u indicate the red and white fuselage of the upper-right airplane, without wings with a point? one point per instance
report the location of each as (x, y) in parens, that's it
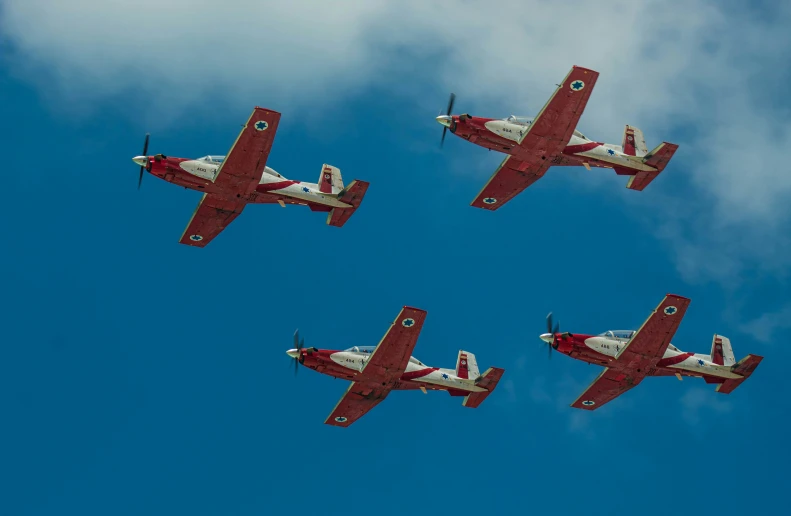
(503, 135)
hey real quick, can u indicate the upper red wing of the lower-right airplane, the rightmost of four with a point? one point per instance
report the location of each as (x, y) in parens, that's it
(651, 340)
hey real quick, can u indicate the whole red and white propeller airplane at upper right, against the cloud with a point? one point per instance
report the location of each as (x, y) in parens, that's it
(551, 139)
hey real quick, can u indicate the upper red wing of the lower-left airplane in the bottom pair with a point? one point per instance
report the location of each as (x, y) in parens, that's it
(389, 359)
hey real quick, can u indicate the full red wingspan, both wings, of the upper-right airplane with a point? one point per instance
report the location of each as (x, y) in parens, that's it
(545, 139)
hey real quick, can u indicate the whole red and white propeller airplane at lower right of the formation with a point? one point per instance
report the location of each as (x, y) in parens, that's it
(630, 356)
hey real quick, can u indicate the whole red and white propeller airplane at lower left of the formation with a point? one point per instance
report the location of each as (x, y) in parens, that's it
(375, 371)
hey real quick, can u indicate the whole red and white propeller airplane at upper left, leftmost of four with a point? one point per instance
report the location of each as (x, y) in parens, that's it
(229, 183)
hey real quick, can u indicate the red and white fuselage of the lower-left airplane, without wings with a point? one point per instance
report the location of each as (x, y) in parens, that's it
(349, 365)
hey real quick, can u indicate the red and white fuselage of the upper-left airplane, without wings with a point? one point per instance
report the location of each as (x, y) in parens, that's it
(199, 174)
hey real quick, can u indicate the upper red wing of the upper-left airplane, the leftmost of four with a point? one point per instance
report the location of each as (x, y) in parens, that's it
(242, 168)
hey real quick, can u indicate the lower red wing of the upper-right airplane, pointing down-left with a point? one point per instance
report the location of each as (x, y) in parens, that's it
(510, 178)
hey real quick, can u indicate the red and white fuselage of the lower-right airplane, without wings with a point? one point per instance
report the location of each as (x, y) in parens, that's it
(603, 349)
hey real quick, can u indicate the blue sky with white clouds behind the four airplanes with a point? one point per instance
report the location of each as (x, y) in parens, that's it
(141, 376)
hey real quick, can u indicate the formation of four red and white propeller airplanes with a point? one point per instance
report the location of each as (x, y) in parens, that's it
(532, 146)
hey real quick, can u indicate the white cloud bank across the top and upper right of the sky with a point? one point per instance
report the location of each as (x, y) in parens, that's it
(713, 74)
